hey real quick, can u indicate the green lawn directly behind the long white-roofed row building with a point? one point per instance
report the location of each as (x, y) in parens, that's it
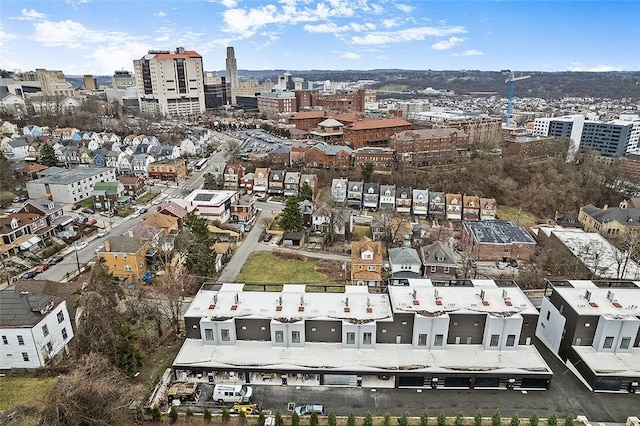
(266, 268)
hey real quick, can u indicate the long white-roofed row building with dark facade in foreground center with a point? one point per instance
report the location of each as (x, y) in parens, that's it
(286, 336)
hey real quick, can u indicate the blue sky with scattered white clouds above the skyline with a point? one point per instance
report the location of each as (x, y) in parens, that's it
(100, 36)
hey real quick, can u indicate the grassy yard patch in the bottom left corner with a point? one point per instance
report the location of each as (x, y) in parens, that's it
(24, 390)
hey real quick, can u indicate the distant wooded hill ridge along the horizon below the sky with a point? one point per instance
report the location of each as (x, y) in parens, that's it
(547, 85)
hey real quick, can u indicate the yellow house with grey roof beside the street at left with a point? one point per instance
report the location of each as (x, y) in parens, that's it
(125, 256)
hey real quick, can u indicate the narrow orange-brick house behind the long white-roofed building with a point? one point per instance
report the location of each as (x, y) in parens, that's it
(366, 263)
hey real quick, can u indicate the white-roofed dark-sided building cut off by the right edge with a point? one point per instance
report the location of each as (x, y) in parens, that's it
(595, 326)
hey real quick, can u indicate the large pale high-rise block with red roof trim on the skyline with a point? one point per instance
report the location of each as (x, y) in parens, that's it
(170, 83)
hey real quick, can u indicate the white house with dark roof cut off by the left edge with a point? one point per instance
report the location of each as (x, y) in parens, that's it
(35, 327)
